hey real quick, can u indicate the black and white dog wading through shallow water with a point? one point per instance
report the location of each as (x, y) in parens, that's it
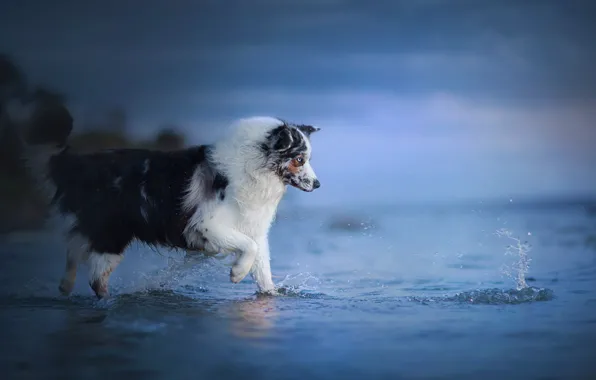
(219, 198)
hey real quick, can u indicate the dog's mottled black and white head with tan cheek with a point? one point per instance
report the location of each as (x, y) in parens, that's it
(288, 152)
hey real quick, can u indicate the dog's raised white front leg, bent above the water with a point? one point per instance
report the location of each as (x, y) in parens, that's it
(231, 240)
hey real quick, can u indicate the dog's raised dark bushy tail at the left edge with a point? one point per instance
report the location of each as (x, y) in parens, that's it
(41, 130)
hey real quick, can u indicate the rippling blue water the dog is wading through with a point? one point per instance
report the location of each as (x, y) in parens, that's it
(497, 293)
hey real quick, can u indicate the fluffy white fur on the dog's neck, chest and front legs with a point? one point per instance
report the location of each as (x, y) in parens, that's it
(241, 223)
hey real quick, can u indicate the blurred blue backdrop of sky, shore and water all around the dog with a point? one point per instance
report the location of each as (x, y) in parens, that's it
(456, 221)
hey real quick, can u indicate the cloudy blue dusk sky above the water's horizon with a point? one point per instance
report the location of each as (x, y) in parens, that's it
(418, 100)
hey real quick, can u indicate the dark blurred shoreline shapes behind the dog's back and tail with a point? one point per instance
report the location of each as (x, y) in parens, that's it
(21, 207)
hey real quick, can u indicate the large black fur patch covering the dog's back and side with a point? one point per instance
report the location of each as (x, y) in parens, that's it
(127, 194)
